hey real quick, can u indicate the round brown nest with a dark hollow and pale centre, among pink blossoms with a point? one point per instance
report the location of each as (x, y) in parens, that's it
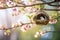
(41, 18)
